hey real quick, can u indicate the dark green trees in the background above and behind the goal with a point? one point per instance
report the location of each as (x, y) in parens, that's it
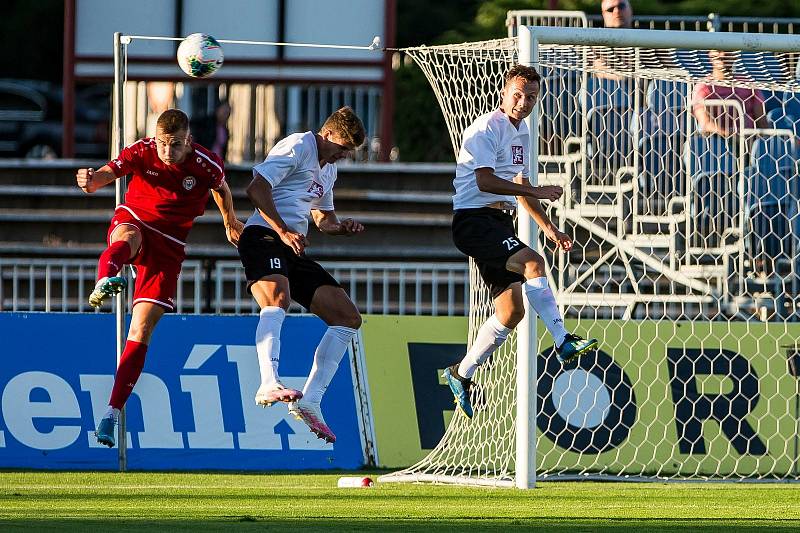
(420, 129)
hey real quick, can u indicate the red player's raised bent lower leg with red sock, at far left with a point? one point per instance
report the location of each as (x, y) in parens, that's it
(124, 240)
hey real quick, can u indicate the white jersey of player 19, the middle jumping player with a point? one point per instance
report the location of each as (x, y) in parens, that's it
(298, 184)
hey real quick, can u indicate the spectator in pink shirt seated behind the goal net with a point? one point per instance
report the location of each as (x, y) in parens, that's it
(723, 119)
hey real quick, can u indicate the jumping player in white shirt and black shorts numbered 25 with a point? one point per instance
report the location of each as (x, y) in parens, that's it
(492, 174)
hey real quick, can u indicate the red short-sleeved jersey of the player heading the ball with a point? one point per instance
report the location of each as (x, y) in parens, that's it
(168, 197)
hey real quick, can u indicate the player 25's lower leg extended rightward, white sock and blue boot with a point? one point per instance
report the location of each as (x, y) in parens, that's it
(531, 265)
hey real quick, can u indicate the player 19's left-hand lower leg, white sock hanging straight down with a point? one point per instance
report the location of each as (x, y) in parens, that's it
(272, 294)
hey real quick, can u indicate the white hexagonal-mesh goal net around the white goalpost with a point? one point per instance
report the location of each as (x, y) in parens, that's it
(680, 172)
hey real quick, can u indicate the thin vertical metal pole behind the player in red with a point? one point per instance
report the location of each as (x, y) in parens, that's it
(117, 144)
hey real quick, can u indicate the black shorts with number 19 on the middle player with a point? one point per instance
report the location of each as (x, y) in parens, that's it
(264, 253)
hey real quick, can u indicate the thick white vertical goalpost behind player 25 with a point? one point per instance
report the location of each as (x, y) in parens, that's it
(527, 339)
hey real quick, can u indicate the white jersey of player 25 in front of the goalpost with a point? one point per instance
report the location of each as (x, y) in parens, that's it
(493, 142)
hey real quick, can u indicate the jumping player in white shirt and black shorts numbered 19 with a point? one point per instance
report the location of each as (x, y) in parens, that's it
(294, 182)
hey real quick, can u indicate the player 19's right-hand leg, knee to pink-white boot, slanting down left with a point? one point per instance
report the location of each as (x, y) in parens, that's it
(332, 305)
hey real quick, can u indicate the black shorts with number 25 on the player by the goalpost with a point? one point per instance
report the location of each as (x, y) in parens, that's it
(487, 235)
